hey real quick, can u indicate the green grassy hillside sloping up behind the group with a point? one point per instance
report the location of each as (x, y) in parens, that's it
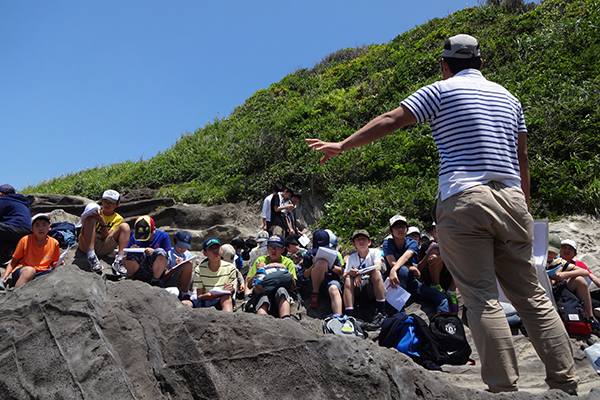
(547, 57)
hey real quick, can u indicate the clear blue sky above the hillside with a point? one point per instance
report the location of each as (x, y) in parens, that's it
(92, 83)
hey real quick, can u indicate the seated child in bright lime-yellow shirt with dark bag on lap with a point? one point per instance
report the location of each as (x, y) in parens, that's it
(280, 297)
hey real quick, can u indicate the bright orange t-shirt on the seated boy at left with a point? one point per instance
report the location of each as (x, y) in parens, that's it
(29, 253)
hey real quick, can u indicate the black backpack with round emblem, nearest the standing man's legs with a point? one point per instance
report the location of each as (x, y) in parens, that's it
(452, 340)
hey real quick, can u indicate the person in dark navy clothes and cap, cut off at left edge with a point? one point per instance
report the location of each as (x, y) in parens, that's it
(15, 220)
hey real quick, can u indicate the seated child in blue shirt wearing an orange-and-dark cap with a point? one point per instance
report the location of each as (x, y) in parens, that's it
(150, 265)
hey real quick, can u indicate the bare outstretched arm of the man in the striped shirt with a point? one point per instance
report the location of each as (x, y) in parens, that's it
(376, 129)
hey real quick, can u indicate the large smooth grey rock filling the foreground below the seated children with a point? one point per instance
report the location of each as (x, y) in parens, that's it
(72, 335)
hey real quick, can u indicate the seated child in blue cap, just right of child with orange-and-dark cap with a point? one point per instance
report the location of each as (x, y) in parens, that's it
(179, 253)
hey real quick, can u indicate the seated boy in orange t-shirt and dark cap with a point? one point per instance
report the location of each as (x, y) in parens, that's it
(36, 254)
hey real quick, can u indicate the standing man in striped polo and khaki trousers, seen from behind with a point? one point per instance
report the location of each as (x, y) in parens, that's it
(483, 221)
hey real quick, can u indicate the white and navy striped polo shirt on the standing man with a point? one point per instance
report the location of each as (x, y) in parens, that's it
(475, 125)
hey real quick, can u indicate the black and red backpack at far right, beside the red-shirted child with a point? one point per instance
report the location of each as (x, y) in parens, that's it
(571, 312)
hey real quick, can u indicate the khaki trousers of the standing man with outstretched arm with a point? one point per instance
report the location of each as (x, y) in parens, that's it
(485, 233)
